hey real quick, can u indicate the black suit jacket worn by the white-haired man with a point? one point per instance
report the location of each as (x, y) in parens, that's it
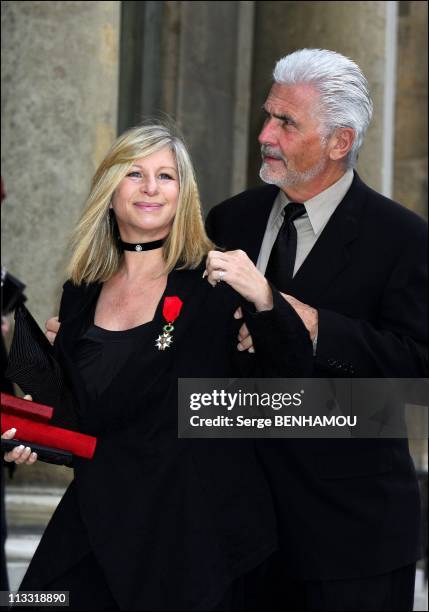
(347, 508)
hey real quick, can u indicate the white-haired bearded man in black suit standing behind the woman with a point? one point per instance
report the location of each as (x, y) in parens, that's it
(353, 265)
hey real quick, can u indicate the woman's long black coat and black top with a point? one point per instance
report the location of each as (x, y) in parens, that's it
(172, 522)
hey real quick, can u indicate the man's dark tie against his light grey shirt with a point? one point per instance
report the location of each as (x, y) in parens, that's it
(282, 259)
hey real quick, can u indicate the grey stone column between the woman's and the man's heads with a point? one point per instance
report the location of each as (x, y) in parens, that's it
(213, 100)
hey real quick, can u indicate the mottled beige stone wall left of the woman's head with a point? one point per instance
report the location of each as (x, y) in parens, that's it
(59, 106)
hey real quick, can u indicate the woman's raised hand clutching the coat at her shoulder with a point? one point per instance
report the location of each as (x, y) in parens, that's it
(236, 269)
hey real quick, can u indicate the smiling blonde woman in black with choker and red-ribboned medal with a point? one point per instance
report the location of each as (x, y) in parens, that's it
(156, 522)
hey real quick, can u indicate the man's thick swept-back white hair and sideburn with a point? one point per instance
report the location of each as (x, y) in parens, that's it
(344, 94)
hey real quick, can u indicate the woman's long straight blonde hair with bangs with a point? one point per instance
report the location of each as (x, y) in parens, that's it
(96, 256)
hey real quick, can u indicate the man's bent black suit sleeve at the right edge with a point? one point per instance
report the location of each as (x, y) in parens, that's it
(393, 346)
